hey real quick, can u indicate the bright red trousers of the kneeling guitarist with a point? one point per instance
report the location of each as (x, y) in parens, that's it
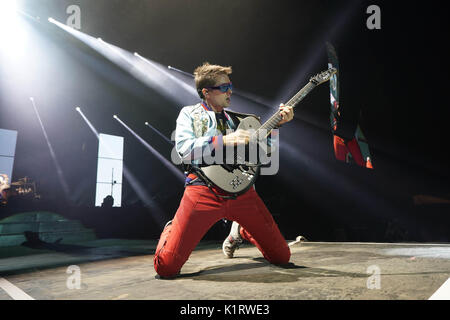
(199, 210)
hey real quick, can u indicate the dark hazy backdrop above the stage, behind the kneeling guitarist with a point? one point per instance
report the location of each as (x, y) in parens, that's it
(396, 76)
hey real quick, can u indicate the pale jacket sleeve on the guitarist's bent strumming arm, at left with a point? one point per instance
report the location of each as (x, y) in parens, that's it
(194, 149)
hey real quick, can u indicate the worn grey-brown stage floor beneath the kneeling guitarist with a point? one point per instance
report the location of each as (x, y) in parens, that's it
(123, 269)
